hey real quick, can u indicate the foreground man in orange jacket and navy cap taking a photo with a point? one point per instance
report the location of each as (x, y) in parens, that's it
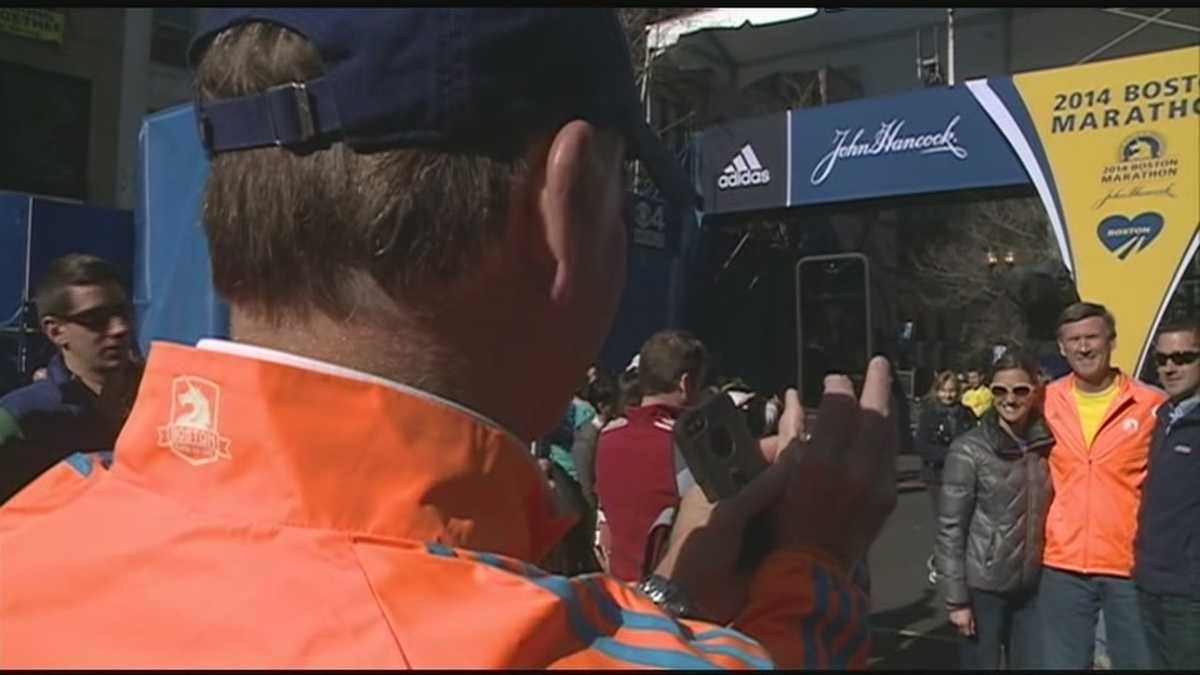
(417, 218)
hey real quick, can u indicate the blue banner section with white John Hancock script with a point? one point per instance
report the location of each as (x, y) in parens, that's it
(929, 141)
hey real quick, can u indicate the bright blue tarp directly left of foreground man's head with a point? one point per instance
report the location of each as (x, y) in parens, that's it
(173, 289)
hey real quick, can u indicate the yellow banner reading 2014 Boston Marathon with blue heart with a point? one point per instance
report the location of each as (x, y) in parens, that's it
(1114, 152)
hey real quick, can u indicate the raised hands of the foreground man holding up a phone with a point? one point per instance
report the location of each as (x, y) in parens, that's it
(827, 494)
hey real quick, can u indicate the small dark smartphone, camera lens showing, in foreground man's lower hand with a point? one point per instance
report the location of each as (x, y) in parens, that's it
(718, 447)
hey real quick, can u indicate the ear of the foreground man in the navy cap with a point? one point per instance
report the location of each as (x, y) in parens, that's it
(573, 192)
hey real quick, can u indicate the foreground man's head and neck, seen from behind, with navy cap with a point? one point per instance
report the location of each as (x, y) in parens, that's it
(397, 184)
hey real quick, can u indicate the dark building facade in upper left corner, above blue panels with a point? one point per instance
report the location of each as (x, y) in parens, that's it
(75, 85)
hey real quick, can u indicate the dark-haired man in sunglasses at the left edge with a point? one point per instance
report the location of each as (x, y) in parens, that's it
(86, 314)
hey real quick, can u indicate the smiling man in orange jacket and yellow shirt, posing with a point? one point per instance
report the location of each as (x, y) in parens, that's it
(1102, 422)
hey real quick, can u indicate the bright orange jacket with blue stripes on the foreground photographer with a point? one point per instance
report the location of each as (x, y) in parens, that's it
(271, 515)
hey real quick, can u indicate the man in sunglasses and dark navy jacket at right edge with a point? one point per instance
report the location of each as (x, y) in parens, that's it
(1168, 547)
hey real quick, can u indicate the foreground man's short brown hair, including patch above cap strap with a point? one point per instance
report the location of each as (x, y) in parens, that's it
(296, 232)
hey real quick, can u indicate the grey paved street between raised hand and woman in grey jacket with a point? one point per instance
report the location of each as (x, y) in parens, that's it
(911, 631)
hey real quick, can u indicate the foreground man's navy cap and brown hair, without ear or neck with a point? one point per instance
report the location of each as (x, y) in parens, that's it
(358, 146)
